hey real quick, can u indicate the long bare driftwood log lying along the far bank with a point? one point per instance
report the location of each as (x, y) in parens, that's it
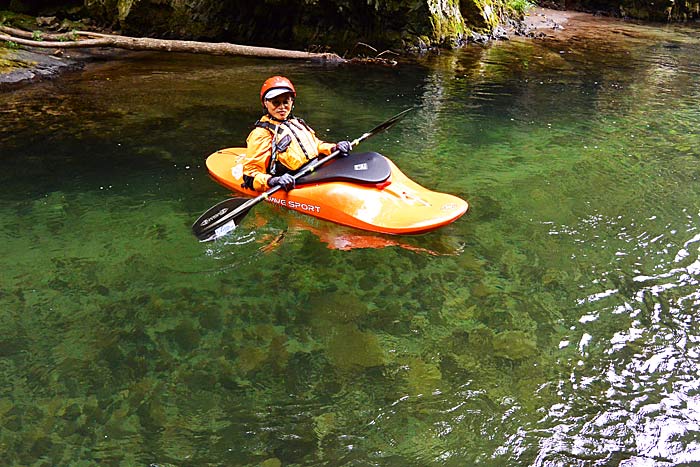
(87, 39)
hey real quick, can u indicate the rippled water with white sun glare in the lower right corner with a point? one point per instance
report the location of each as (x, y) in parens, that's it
(630, 397)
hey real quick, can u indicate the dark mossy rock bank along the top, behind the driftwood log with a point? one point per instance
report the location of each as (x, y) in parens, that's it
(348, 27)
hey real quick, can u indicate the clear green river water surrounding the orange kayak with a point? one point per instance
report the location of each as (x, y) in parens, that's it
(553, 325)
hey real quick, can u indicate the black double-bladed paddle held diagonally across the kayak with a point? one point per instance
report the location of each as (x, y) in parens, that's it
(223, 217)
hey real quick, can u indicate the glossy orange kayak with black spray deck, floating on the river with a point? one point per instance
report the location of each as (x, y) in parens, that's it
(365, 190)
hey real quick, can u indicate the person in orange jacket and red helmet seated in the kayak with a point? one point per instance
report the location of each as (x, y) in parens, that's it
(280, 143)
